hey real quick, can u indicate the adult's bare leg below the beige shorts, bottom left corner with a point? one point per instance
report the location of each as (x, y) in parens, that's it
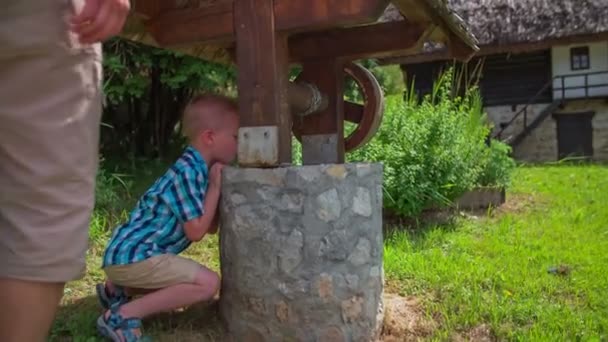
(28, 309)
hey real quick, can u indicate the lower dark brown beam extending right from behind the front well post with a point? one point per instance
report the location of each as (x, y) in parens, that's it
(372, 41)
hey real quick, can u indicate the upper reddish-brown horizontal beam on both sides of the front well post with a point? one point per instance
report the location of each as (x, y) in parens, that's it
(215, 22)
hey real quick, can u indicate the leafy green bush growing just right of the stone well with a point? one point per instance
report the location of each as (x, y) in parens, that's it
(434, 149)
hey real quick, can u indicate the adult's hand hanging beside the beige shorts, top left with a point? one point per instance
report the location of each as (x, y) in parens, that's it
(100, 20)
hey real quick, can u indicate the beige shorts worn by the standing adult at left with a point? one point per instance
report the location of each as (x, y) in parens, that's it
(50, 111)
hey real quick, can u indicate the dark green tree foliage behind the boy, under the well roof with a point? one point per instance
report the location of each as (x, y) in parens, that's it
(146, 89)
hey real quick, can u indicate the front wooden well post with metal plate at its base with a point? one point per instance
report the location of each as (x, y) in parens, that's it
(262, 62)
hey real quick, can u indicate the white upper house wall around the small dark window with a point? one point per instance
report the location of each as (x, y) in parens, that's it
(598, 60)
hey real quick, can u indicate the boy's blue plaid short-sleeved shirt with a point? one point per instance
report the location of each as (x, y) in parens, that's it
(155, 226)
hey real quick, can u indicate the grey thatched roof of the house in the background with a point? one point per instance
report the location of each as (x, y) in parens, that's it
(507, 22)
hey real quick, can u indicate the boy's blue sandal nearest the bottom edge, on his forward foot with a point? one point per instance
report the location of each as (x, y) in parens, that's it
(110, 326)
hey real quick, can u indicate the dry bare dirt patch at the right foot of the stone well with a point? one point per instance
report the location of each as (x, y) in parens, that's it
(404, 320)
